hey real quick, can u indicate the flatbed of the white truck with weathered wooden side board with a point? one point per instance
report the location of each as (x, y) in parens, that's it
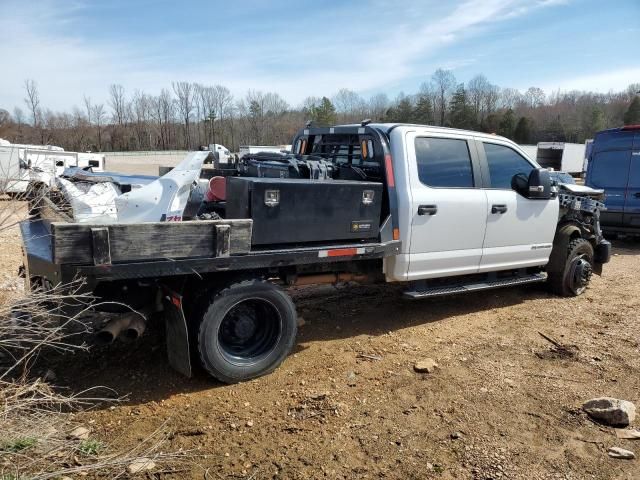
(52, 253)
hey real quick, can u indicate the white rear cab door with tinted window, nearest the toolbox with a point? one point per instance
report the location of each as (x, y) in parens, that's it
(448, 207)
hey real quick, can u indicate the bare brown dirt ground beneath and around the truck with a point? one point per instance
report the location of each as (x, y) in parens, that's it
(504, 402)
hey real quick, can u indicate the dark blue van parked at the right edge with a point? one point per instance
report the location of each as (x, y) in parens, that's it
(614, 165)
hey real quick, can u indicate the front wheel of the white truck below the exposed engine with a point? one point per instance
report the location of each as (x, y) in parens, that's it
(572, 279)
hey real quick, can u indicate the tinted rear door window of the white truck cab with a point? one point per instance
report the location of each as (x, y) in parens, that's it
(444, 162)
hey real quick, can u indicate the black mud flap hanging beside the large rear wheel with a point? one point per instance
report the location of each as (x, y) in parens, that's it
(177, 333)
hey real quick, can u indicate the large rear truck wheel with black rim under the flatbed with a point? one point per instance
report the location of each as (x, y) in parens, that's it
(246, 331)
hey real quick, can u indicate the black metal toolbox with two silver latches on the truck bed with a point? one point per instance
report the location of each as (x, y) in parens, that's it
(293, 211)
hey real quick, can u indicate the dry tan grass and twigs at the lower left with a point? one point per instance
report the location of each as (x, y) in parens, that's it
(36, 418)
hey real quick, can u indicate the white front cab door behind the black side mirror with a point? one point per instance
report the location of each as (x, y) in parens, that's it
(520, 230)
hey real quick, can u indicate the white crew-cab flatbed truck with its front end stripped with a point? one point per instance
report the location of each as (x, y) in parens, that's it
(442, 211)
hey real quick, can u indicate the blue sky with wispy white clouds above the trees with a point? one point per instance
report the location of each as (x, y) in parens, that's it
(301, 48)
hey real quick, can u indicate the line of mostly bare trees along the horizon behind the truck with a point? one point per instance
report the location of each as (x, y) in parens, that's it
(188, 114)
